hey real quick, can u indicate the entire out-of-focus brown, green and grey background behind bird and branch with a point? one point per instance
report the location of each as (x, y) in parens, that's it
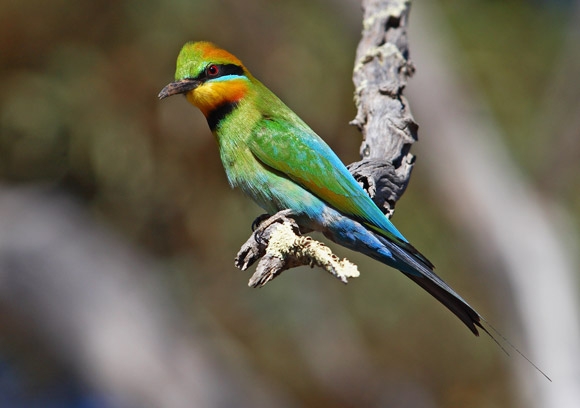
(118, 229)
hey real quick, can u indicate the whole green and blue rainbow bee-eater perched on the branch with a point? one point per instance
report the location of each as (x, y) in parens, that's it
(282, 164)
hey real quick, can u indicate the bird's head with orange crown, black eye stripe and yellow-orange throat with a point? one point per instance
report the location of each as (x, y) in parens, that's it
(208, 76)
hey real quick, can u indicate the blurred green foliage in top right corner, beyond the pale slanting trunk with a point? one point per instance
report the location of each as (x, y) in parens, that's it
(525, 59)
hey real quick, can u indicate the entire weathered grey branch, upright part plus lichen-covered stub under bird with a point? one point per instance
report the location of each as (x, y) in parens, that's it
(380, 75)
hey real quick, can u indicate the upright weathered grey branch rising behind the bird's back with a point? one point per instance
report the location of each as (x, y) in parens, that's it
(380, 75)
